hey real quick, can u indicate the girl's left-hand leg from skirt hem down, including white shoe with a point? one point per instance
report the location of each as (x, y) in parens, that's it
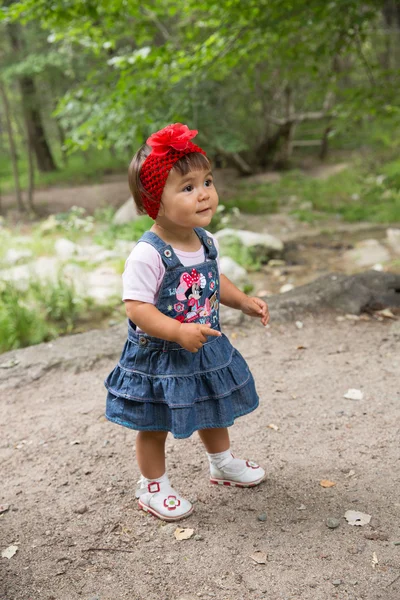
(155, 493)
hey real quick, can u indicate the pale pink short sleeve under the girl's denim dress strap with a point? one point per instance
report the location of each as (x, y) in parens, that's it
(143, 274)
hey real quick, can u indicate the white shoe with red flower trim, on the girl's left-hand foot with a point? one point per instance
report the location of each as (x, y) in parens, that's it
(162, 501)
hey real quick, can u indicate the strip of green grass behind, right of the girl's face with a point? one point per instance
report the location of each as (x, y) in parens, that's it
(355, 194)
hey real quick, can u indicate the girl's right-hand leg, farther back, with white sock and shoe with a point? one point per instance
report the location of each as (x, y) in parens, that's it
(225, 469)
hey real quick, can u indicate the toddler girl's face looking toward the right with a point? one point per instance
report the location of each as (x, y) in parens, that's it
(189, 200)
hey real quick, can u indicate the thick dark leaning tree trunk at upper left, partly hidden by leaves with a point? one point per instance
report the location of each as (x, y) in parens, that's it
(30, 105)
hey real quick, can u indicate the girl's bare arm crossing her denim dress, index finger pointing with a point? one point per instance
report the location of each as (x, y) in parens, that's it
(149, 319)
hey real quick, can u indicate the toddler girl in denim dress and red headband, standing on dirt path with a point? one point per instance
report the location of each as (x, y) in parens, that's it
(177, 371)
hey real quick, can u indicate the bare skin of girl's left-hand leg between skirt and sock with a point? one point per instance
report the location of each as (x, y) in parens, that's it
(150, 453)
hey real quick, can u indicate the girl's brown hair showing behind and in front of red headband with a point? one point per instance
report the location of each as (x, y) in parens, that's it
(190, 162)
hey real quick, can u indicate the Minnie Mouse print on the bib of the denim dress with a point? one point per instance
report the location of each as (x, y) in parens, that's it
(190, 292)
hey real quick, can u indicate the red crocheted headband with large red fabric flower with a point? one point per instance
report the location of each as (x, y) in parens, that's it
(168, 146)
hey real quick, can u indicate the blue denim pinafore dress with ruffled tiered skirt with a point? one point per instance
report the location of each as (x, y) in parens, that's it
(158, 385)
